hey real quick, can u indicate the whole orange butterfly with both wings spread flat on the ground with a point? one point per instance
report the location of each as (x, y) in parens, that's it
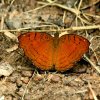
(48, 52)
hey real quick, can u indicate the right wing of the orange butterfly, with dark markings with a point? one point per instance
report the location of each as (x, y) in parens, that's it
(70, 49)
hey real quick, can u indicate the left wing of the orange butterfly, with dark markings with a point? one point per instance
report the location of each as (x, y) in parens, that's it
(38, 48)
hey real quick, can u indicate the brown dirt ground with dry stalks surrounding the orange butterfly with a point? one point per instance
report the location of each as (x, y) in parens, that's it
(19, 78)
